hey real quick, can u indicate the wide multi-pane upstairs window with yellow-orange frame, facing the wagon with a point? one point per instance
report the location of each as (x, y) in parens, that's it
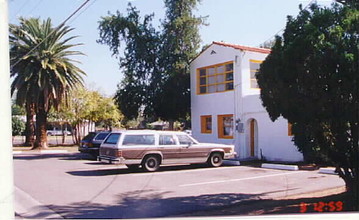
(216, 78)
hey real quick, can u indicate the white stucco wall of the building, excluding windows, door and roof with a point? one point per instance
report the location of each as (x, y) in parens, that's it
(271, 140)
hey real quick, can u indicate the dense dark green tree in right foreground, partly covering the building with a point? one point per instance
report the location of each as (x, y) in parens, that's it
(311, 78)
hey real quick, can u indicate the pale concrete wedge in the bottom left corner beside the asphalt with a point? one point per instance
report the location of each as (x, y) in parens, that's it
(27, 207)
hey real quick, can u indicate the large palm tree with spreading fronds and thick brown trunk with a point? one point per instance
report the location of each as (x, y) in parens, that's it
(43, 74)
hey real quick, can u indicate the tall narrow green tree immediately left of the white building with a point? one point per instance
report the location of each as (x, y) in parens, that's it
(180, 44)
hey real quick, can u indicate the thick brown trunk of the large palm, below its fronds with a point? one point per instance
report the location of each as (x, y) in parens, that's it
(41, 137)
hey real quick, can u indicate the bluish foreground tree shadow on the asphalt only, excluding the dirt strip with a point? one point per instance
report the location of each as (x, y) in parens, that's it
(149, 204)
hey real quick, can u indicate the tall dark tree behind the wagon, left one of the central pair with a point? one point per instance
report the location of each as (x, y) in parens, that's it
(140, 61)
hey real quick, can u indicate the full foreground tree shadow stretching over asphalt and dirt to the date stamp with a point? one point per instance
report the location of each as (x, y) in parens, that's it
(150, 204)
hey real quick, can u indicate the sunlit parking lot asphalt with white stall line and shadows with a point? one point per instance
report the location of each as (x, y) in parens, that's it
(75, 187)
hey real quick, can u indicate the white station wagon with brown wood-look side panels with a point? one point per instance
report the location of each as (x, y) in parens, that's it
(150, 149)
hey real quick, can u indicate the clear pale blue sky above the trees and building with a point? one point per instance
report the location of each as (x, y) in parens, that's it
(244, 22)
